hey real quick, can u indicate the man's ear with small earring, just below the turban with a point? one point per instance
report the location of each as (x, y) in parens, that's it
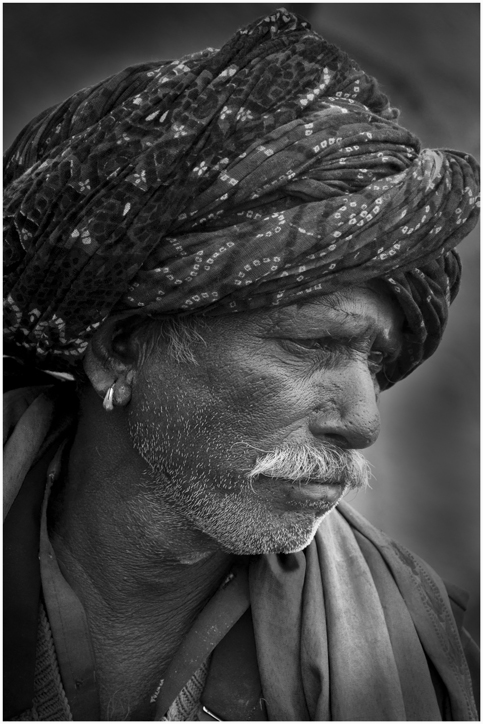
(111, 361)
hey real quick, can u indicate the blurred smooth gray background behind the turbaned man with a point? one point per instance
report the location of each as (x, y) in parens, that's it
(426, 55)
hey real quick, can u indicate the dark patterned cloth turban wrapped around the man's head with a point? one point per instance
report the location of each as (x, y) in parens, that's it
(257, 175)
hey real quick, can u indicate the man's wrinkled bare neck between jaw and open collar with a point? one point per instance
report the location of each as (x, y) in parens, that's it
(142, 579)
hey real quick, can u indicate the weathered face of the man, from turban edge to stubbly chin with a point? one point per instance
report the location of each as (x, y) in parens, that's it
(294, 381)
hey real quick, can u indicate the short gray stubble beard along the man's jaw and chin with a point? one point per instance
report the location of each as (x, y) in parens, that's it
(231, 514)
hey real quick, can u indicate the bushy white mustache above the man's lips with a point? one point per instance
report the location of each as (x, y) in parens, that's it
(327, 464)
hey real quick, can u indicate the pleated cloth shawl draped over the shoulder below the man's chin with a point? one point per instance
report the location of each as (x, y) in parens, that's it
(357, 628)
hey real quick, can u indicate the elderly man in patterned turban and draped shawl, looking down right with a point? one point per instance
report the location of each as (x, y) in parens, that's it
(233, 254)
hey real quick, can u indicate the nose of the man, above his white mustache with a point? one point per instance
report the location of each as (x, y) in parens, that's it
(349, 416)
